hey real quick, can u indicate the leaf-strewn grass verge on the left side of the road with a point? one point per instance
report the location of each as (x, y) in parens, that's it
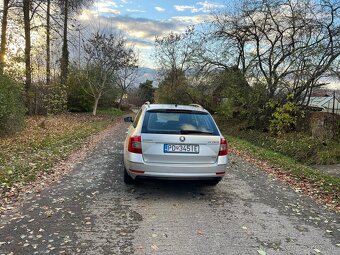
(44, 142)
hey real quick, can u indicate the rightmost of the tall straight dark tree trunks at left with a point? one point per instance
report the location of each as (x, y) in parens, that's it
(65, 53)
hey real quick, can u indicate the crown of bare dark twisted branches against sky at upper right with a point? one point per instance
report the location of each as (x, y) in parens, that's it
(287, 44)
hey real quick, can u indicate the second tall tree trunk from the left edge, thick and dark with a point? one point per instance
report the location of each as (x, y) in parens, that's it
(28, 73)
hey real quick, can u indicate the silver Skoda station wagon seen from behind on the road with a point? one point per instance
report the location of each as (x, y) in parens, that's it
(174, 142)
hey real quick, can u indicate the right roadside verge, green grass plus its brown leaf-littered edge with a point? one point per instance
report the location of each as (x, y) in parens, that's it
(317, 184)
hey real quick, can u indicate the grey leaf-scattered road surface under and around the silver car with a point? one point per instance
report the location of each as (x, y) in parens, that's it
(91, 211)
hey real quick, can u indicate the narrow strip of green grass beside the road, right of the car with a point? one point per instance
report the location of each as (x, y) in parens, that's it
(325, 182)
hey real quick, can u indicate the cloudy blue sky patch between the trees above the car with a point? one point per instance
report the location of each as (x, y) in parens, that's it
(143, 20)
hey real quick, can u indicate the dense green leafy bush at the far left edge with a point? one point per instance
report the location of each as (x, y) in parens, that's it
(12, 108)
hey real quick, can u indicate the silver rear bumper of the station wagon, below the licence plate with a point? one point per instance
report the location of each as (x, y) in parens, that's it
(136, 167)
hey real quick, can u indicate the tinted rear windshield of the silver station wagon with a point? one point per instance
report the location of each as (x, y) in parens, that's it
(178, 122)
